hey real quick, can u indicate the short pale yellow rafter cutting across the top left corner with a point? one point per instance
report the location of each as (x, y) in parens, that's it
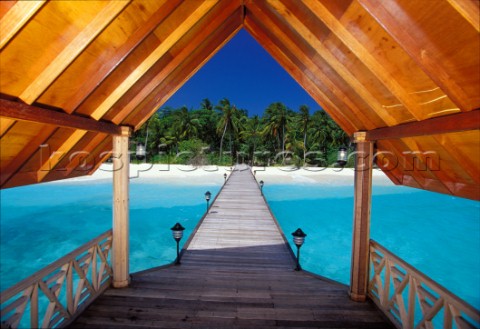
(16, 18)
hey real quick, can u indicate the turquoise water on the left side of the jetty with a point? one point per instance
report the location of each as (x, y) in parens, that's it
(41, 223)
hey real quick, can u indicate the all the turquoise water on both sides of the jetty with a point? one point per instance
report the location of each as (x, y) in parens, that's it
(438, 234)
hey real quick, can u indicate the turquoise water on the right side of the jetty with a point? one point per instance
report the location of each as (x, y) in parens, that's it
(436, 233)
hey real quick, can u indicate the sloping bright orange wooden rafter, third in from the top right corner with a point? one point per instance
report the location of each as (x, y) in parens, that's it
(365, 56)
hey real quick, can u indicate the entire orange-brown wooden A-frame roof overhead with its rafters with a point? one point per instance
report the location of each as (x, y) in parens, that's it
(407, 72)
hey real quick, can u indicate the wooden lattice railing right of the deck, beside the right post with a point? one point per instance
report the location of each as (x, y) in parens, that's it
(411, 299)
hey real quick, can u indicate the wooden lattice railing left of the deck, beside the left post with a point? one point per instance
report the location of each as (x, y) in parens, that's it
(55, 295)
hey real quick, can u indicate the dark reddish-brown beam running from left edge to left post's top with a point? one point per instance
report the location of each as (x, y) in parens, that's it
(20, 111)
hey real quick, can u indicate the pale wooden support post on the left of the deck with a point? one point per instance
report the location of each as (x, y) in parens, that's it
(120, 248)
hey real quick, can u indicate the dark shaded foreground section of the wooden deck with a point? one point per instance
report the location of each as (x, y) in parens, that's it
(230, 288)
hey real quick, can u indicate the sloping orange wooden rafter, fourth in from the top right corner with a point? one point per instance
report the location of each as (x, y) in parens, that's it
(359, 87)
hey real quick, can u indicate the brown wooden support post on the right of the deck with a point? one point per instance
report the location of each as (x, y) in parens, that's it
(361, 221)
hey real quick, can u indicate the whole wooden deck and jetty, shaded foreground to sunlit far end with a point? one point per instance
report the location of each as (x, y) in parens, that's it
(237, 272)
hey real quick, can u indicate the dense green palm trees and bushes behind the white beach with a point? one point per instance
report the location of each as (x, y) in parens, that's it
(223, 135)
